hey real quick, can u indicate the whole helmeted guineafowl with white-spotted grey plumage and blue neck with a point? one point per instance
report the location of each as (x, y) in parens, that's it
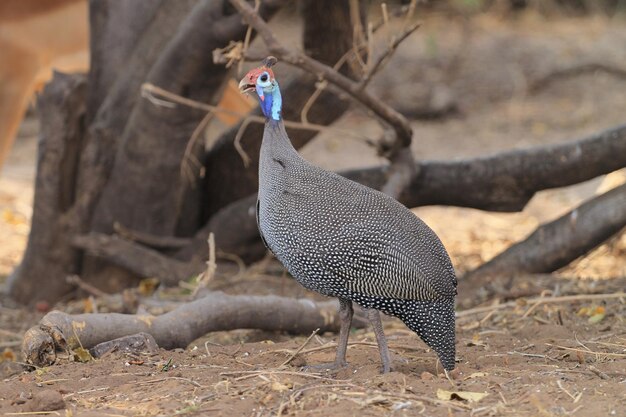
(345, 240)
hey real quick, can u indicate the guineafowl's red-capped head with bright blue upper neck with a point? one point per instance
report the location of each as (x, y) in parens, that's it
(261, 80)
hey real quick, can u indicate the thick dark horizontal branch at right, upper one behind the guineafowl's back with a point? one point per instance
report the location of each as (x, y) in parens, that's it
(506, 181)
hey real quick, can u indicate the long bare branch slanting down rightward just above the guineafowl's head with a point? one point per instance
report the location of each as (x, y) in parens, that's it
(400, 125)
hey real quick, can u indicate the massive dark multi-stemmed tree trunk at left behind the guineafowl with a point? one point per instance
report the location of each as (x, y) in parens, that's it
(125, 166)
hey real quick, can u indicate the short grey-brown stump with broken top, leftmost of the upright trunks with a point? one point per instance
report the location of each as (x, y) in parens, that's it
(49, 255)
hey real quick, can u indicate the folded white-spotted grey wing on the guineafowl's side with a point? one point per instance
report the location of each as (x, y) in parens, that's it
(376, 247)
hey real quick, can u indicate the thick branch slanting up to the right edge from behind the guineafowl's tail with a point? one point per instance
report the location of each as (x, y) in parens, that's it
(556, 244)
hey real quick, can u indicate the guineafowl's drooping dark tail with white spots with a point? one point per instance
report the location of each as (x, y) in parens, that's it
(434, 321)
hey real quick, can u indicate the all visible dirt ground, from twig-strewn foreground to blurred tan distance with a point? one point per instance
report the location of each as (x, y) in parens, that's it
(519, 358)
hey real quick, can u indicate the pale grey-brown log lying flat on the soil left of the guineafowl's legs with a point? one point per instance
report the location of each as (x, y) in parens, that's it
(218, 311)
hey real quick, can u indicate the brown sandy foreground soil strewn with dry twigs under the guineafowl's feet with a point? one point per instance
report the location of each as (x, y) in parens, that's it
(530, 359)
